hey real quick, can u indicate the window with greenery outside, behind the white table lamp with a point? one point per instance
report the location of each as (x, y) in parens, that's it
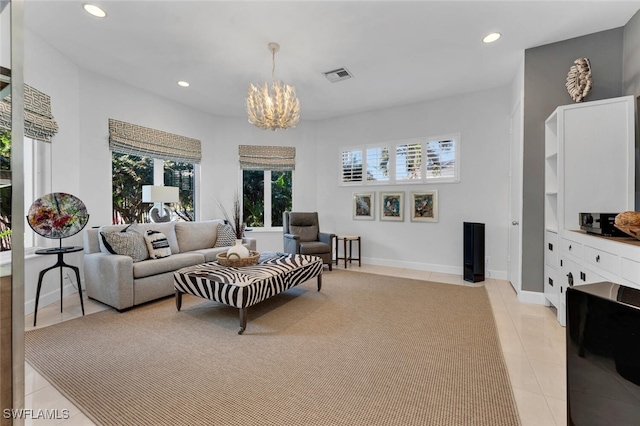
(130, 172)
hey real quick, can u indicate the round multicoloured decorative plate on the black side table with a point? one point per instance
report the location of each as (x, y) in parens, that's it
(57, 215)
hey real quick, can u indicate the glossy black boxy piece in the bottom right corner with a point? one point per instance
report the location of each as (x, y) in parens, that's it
(603, 355)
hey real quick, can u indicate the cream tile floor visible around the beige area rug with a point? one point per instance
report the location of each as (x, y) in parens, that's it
(532, 343)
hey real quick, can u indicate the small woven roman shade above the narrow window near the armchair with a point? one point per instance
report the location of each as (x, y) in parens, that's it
(255, 157)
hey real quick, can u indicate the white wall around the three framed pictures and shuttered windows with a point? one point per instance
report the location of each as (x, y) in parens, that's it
(482, 119)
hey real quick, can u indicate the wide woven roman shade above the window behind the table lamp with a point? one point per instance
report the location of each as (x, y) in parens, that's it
(127, 138)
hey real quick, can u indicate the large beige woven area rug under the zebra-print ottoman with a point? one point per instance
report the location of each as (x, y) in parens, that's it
(366, 350)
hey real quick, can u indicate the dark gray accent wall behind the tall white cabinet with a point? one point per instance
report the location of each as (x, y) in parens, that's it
(545, 72)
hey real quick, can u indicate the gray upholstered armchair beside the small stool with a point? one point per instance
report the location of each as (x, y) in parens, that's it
(302, 236)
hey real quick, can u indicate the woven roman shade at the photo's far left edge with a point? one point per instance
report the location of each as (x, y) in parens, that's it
(38, 120)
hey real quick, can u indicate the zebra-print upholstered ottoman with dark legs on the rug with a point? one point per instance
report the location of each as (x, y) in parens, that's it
(245, 286)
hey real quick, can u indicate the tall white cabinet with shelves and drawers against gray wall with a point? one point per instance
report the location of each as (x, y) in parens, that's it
(589, 167)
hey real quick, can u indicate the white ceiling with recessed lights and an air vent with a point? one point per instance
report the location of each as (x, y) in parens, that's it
(400, 52)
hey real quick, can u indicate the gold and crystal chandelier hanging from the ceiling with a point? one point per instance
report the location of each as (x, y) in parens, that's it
(274, 107)
